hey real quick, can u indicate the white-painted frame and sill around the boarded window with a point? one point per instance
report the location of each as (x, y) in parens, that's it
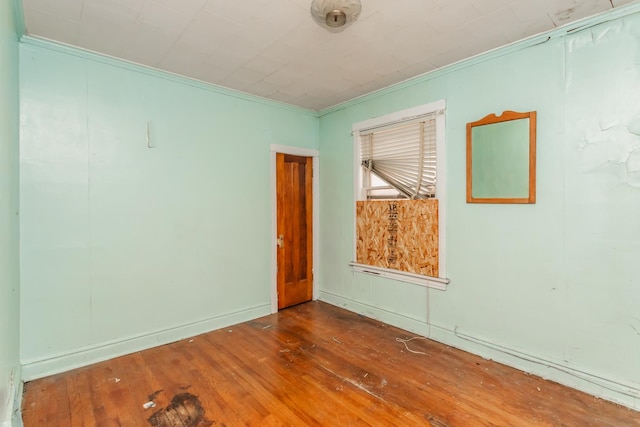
(441, 281)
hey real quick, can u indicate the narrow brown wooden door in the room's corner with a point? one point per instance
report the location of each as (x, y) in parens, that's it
(294, 176)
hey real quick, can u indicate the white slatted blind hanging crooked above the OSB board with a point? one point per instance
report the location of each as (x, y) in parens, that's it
(402, 156)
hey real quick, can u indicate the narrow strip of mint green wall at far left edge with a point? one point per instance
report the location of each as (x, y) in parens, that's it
(9, 273)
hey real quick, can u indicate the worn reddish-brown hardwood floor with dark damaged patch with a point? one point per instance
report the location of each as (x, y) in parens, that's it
(313, 364)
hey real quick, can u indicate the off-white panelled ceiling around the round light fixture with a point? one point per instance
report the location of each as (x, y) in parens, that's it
(274, 49)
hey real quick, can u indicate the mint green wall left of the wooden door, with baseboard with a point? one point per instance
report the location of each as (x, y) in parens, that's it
(125, 246)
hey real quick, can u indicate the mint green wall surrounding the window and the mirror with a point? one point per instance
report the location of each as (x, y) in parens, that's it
(553, 287)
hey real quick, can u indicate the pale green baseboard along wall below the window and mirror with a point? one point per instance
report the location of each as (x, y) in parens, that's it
(616, 391)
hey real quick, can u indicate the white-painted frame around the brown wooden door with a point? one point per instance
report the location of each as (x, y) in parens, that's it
(315, 184)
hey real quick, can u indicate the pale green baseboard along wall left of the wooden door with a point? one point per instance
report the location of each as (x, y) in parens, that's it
(33, 369)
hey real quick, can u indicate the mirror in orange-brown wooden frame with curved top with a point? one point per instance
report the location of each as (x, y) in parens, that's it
(501, 158)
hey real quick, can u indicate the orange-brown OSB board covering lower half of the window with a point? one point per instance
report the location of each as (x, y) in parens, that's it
(398, 234)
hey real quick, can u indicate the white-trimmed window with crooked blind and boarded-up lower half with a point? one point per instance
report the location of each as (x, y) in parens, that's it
(400, 196)
